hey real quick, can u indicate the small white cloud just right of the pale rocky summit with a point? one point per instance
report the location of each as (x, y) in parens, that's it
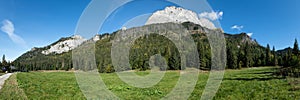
(212, 15)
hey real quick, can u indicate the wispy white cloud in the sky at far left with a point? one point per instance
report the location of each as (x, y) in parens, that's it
(9, 29)
